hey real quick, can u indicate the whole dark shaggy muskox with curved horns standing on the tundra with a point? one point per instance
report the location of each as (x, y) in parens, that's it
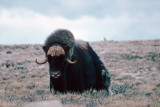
(73, 65)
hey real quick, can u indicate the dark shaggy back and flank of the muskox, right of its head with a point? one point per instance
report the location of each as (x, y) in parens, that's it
(89, 71)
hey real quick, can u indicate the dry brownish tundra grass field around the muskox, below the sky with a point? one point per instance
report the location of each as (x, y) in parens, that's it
(134, 67)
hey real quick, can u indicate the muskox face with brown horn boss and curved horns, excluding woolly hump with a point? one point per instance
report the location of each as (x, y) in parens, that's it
(56, 57)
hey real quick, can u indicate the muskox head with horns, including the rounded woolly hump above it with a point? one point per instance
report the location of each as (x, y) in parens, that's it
(58, 49)
